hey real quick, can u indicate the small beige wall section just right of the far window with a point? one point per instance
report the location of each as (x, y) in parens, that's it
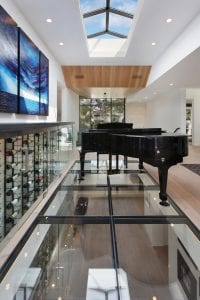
(136, 114)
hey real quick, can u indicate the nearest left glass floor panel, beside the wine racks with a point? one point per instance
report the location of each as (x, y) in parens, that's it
(57, 266)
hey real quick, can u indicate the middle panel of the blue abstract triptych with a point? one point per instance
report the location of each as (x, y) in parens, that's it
(29, 78)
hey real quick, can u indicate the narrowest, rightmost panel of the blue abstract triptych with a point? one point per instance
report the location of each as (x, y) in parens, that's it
(44, 85)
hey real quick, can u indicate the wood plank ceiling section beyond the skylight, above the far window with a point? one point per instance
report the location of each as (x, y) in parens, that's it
(84, 79)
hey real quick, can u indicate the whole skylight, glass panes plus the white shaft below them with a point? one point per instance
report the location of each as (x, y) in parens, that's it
(109, 20)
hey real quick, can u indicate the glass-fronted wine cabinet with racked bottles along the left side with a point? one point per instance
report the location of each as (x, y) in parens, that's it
(31, 157)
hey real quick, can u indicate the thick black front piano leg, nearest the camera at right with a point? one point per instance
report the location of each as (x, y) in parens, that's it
(163, 174)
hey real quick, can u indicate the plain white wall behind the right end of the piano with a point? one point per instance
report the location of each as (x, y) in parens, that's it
(168, 111)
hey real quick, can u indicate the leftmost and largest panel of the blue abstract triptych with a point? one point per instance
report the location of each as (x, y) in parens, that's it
(8, 63)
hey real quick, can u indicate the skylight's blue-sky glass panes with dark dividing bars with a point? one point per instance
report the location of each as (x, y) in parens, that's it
(103, 17)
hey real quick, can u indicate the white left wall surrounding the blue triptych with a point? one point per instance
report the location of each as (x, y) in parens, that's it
(55, 71)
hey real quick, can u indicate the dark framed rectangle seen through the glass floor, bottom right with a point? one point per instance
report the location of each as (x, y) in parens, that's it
(186, 277)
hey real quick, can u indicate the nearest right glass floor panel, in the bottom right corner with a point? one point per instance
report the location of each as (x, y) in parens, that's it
(161, 261)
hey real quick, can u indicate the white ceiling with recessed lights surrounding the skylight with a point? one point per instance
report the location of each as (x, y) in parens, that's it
(149, 26)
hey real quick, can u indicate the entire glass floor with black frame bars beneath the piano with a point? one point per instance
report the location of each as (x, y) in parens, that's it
(106, 237)
